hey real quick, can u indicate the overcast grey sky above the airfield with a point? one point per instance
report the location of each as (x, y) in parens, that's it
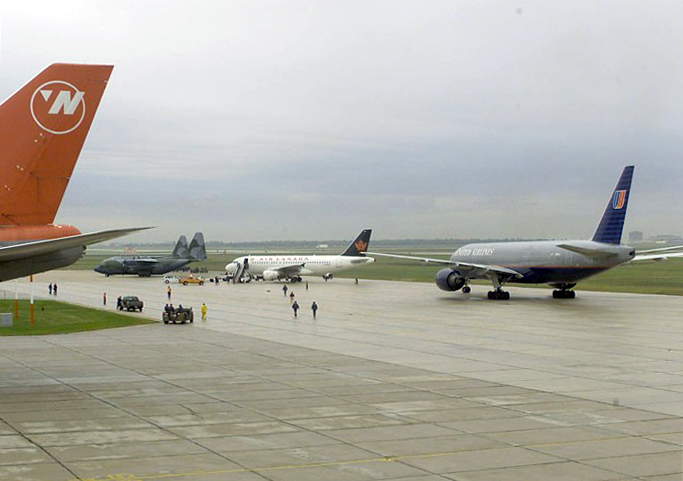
(265, 120)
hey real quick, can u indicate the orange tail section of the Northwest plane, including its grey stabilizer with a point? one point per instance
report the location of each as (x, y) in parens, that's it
(42, 130)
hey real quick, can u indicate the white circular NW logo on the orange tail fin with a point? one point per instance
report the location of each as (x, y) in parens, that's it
(58, 107)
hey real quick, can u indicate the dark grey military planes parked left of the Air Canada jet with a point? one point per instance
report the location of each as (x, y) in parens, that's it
(148, 266)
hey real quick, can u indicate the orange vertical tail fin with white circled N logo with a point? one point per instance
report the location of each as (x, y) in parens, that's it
(42, 130)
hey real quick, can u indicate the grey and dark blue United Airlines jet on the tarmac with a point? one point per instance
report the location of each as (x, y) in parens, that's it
(560, 264)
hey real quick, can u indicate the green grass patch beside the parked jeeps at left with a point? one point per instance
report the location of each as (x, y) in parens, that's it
(53, 317)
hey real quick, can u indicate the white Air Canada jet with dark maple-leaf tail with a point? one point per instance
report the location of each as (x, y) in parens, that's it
(275, 267)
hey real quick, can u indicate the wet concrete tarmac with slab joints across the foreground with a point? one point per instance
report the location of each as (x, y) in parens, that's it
(392, 381)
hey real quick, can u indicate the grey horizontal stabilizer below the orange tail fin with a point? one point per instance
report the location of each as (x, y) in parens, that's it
(29, 249)
